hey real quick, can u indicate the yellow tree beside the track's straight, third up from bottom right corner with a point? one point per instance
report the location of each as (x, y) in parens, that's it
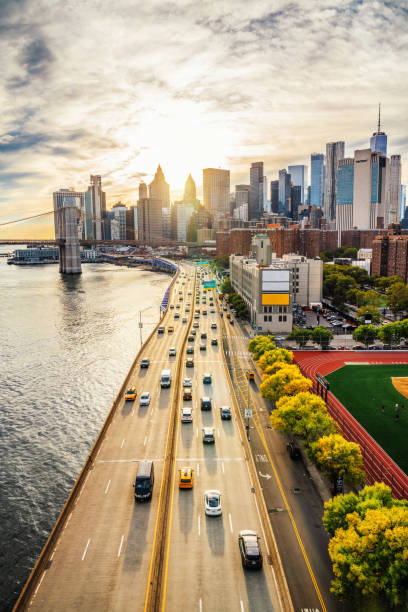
(338, 458)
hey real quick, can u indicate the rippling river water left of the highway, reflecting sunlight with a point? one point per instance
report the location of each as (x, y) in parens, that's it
(66, 344)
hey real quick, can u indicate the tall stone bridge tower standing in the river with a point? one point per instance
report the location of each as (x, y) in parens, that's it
(66, 219)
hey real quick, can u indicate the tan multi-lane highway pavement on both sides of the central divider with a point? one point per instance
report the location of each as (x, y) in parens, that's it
(102, 558)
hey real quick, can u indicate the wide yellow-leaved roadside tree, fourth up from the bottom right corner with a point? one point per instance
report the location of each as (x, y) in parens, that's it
(304, 415)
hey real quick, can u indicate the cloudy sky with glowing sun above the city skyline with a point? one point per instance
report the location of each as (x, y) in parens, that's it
(115, 88)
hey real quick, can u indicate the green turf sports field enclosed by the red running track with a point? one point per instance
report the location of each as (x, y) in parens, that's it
(362, 389)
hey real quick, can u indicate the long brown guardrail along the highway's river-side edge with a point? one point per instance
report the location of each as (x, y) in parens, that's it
(42, 561)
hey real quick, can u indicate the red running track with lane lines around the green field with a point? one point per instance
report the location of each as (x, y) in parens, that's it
(378, 464)
